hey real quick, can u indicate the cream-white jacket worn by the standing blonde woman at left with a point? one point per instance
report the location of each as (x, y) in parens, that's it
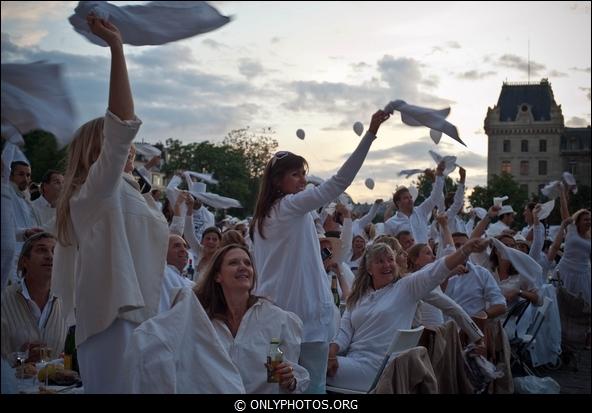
(122, 241)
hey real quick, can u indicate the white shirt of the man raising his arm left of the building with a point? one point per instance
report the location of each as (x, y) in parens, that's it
(417, 222)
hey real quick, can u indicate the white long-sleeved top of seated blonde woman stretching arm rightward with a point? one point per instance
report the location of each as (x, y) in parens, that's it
(367, 329)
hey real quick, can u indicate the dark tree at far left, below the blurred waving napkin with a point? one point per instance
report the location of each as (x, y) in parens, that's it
(42, 151)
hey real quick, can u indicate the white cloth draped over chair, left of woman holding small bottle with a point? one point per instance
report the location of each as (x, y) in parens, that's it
(178, 352)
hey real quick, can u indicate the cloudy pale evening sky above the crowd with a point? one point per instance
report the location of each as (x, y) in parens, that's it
(321, 66)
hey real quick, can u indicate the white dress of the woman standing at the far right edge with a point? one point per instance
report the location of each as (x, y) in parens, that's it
(574, 267)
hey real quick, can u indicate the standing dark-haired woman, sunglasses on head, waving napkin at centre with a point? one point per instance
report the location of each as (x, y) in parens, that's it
(285, 246)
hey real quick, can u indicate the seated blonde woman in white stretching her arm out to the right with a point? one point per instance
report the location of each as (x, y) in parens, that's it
(382, 302)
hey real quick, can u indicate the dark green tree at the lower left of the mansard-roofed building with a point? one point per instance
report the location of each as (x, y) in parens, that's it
(500, 185)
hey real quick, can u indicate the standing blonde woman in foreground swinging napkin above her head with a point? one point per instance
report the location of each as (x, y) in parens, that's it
(113, 238)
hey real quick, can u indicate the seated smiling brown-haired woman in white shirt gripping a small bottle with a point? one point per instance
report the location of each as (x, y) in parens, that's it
(246, 323)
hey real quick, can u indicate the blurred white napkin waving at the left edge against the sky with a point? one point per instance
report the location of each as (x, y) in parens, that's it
(34, 96)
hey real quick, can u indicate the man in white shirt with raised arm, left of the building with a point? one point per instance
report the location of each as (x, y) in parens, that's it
(415, 219)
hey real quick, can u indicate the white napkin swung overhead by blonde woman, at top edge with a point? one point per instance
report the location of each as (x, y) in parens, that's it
(155, 23)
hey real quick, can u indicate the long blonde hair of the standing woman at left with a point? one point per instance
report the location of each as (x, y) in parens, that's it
(83, 151)
